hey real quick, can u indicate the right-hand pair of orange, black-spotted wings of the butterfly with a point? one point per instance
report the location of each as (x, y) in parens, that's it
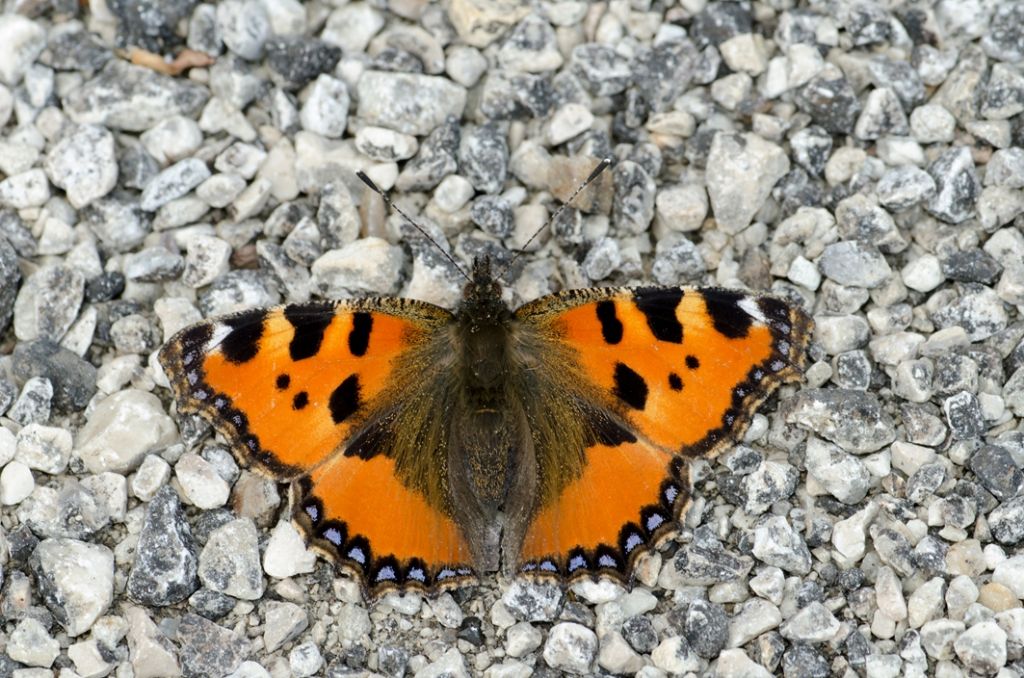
(664, 375)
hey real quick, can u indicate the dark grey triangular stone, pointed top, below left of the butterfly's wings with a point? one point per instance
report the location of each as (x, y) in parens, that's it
(165, 569)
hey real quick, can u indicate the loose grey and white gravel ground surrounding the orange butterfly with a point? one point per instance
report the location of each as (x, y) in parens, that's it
(867, 163)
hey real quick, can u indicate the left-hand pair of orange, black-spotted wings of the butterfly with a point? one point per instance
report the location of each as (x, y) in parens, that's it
(314, 395)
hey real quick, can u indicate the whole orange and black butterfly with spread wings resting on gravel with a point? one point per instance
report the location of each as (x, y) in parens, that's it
(424, 447)
